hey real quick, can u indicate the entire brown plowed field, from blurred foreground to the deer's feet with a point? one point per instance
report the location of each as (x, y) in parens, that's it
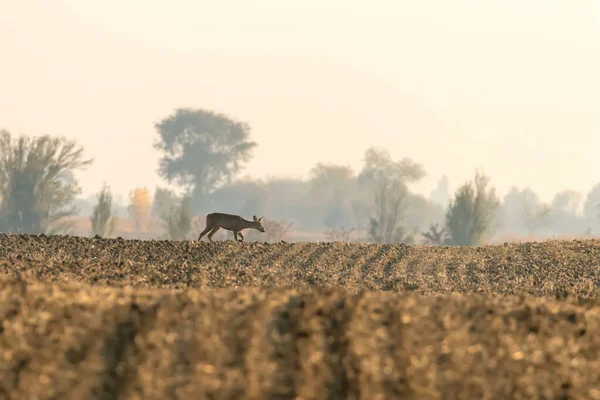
(93, 318)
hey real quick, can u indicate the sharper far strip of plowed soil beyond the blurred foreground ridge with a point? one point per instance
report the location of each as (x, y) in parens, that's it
(551, 269)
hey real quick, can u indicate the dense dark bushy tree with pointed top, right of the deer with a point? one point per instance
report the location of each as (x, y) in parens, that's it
(470, 215)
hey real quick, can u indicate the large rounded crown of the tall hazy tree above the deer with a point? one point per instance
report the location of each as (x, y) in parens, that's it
(201, 149)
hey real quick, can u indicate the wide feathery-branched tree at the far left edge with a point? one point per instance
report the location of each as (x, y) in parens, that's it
(37, 182)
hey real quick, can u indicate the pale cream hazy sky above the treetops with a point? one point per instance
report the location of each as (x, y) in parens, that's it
(512, 87)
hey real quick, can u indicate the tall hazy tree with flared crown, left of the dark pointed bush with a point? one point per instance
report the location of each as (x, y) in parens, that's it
(387, 183)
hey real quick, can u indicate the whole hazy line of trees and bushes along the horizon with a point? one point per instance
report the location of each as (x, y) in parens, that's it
(202, 156)
